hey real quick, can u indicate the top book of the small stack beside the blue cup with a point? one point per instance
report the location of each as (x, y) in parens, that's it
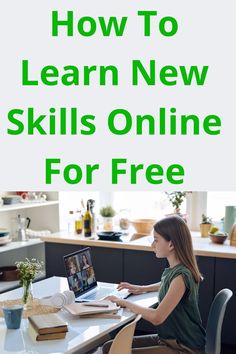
(48, 323)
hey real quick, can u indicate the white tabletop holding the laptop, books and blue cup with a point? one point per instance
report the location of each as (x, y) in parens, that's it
(83, 333)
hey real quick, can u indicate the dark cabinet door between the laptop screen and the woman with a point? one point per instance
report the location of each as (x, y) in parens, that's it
(108, 264)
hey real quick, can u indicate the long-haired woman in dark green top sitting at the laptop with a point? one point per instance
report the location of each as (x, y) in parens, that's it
(177, 318)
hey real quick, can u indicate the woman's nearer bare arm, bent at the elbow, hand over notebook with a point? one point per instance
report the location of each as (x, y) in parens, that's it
(159, 315)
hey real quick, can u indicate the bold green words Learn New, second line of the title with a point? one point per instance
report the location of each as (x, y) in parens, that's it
(71, 75)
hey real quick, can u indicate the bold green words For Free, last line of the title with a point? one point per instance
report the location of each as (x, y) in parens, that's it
(74, 173)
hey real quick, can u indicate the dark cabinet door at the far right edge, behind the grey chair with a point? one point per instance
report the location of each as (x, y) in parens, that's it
(226, 278)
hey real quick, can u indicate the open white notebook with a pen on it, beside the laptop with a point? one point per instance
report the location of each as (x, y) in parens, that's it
(92, 308)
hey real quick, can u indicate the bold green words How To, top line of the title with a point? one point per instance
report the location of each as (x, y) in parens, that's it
(87, 26)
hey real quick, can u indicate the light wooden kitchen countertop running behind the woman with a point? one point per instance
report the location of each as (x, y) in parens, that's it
(202, 246)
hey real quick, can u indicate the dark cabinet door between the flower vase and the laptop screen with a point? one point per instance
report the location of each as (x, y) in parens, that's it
(54, 253)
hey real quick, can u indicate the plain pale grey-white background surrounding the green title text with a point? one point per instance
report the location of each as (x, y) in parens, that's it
(206, 36)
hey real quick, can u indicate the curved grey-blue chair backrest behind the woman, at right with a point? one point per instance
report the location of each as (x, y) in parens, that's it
(214, 322)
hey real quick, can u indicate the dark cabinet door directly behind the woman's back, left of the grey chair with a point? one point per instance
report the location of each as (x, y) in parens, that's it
(206, 289)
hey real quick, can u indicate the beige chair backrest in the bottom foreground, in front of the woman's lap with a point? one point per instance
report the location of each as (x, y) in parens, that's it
(122, 342)
